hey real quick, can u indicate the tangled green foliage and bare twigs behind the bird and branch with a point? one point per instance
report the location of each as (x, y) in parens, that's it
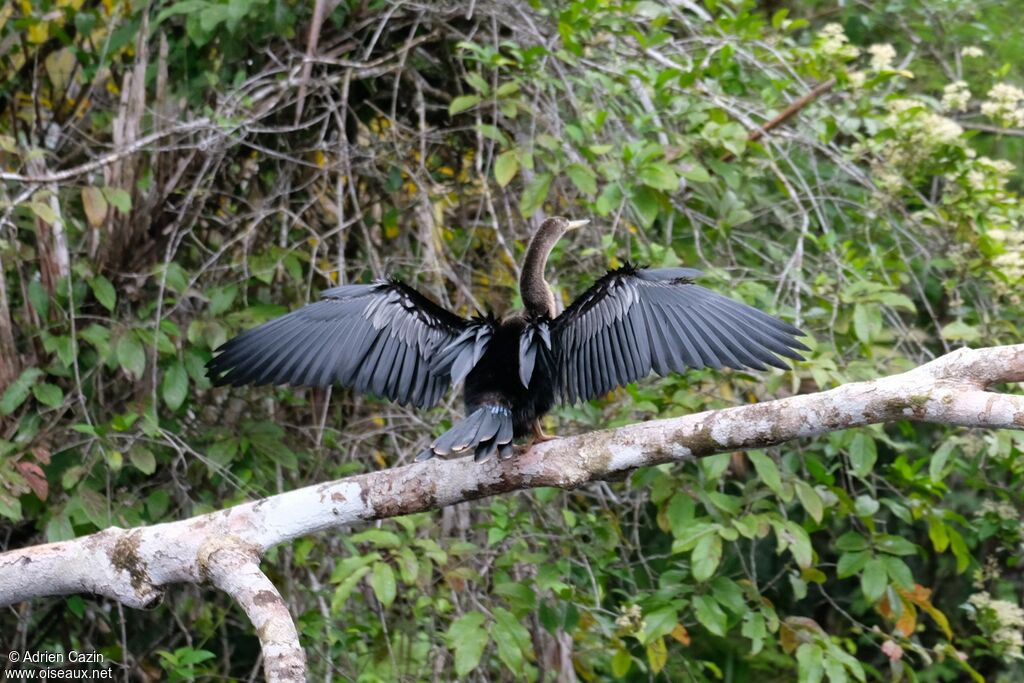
(254, 162)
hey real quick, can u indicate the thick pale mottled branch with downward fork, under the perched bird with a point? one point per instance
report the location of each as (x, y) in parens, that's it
(135, 566)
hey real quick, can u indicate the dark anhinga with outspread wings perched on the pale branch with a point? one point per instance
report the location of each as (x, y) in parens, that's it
(390, 340)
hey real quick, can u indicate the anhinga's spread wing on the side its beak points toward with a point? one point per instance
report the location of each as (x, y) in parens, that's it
(633, 321)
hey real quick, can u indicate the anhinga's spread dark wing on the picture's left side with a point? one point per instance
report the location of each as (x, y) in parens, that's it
(383, 339)
